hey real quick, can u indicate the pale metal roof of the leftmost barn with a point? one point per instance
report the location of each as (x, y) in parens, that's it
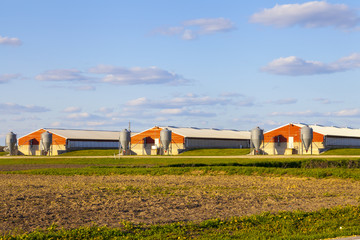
(85, 134)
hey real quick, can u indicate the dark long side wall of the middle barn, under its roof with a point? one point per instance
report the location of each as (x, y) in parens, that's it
(215, 143)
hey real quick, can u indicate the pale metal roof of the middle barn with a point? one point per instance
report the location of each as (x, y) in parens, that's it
(192, 132)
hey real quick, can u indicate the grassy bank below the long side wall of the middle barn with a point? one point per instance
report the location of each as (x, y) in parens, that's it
(217, 152)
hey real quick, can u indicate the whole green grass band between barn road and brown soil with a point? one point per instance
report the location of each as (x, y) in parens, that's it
(303, 167)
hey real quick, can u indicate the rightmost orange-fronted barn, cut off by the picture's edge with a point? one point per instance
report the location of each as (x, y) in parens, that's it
(287, 139)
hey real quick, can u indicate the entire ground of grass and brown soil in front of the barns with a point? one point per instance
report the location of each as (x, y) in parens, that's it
(198, 197)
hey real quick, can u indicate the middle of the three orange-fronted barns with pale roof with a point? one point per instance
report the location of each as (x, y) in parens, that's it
(148, 142)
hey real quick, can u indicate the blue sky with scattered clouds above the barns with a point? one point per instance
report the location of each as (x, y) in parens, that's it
(208, 64)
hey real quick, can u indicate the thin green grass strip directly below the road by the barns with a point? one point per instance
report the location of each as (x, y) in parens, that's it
(178, 161)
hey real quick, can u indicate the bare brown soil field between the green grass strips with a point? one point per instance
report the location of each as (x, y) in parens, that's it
(34, 201)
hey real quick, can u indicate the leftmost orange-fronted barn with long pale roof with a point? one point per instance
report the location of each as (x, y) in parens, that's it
(64, 140)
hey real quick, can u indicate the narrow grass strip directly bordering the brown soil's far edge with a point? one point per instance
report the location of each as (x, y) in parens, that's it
(199, 171)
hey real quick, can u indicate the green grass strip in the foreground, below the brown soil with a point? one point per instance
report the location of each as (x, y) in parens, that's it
(325, 223)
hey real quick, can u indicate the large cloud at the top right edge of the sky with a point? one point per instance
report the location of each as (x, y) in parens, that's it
(309, 15)
